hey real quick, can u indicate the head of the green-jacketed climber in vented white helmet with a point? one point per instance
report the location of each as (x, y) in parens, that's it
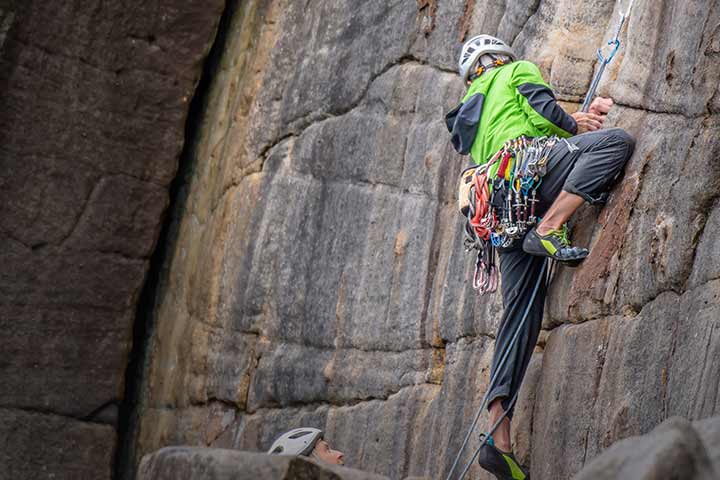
(482, 53)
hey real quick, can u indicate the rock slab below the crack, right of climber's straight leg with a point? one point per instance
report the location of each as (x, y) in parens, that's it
(621, 376)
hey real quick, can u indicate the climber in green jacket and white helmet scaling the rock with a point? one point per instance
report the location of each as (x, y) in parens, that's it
(508, 99)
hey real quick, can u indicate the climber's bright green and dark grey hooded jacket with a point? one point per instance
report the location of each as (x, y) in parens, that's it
(505, 103)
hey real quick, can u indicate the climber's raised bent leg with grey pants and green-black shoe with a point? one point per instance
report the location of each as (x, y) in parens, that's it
(582, 168)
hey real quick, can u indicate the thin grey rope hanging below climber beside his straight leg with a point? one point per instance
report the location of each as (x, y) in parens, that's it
(501, 364)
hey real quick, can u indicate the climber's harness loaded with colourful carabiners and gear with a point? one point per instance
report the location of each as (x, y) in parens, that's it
(501, 209)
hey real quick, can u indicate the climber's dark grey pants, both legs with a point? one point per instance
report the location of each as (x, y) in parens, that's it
(589, 171)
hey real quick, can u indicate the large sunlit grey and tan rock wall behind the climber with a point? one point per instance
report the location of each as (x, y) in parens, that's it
(316, 274)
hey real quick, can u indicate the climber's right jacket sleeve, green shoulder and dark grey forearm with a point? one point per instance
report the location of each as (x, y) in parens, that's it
(538, 102)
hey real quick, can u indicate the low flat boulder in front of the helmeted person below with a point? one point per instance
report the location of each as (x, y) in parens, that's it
(184, 463)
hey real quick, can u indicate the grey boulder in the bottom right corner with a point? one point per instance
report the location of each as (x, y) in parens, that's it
(674, 450)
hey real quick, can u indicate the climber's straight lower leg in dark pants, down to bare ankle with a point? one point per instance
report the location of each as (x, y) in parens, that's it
(520, 273)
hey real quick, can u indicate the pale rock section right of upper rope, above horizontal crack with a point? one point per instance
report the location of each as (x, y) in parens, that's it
(655, 71)
